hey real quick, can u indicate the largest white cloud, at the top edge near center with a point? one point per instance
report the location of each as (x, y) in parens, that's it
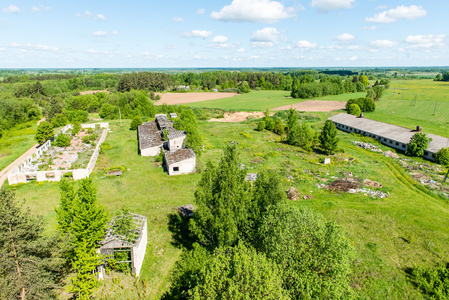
(263, 11)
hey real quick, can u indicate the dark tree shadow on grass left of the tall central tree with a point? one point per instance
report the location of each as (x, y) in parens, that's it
(179, 227)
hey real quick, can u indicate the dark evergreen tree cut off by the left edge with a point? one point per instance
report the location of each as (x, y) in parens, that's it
(30, 265)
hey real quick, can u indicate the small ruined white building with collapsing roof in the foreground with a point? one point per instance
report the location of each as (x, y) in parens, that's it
(134, 242)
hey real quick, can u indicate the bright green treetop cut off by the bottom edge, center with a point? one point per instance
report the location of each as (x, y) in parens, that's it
(239, 273)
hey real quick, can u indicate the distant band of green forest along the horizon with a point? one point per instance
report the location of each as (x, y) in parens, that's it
(29, 94)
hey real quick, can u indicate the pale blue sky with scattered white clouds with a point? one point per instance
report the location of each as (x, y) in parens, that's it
(223, 33)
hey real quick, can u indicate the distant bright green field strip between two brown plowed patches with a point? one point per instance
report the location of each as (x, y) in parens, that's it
(261, 100)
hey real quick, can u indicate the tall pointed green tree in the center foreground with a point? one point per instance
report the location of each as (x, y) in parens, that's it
(222, 199)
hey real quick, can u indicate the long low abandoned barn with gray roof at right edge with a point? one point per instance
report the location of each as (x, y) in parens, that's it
(391, 135)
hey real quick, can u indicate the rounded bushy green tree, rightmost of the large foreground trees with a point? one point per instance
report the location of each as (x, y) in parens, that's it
(314, 256)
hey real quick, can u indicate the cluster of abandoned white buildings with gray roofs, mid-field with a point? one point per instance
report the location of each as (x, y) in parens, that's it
(160, 134)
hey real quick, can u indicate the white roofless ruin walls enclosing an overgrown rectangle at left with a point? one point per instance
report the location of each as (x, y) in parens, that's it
(17, 176)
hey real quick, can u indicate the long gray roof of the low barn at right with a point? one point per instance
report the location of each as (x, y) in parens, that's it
(391, 132)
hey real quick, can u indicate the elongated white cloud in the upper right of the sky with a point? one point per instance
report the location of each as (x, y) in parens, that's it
(401, 12)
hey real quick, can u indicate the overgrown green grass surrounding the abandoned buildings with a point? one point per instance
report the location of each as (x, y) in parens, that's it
(390, 234)
